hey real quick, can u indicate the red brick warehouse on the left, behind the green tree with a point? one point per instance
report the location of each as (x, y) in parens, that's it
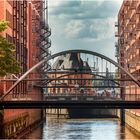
(22, 33)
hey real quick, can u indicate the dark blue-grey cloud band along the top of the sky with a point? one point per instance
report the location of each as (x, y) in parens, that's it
(84, 9)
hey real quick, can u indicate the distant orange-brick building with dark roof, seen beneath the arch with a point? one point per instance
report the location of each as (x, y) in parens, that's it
(70, 63)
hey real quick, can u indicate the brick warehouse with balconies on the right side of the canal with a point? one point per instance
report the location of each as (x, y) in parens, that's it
(128, 51)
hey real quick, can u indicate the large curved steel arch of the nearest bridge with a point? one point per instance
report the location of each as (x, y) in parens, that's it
(67, 52)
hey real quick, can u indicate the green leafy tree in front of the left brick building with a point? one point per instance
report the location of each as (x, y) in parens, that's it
(8, 63)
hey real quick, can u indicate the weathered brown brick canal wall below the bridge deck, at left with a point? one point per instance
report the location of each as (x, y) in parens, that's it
(21, 123)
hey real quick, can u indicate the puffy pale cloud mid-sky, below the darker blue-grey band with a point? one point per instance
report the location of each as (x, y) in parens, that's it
(93, 30)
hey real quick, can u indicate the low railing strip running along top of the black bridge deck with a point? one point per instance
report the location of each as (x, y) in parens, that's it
(69, 96)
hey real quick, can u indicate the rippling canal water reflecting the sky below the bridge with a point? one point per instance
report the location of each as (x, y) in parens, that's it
(81, 129)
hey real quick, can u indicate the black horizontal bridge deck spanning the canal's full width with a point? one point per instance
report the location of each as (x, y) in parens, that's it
(70, 104)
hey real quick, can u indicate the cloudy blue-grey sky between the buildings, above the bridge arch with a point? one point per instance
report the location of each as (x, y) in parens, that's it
(83, 24)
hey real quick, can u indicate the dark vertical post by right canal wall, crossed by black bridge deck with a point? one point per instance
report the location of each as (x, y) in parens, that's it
(122, 111)
